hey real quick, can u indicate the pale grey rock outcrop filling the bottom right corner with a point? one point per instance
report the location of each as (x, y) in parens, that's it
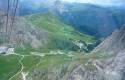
(116, 70)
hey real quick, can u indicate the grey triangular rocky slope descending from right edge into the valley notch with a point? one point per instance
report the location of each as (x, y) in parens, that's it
(114, 43)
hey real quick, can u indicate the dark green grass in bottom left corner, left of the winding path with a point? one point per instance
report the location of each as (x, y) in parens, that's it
(9, 66)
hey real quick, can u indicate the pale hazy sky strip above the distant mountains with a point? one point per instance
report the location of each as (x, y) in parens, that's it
(100, 2)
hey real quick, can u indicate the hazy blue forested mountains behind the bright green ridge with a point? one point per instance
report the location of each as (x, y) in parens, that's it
(79, 14)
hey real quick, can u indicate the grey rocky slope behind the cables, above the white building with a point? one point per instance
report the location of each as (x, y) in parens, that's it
(21, 33)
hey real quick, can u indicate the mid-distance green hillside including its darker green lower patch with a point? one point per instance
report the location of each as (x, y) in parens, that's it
(61, 34)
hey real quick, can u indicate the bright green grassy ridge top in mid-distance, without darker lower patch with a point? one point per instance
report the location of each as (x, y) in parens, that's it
(52, 24)
